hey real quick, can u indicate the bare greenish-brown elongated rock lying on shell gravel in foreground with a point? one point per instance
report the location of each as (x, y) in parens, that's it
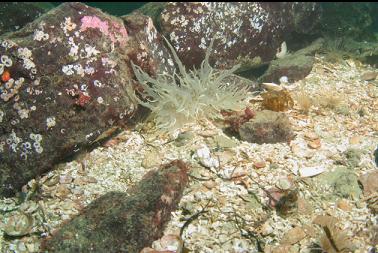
(125, 222)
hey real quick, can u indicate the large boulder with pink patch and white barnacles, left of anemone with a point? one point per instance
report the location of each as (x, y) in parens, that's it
(65, 83)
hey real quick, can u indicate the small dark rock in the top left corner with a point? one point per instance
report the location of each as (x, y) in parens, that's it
(14, 15)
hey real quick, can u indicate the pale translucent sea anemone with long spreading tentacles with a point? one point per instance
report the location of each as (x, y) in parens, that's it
(187, 96)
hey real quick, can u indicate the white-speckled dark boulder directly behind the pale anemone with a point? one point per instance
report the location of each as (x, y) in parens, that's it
(247, 33)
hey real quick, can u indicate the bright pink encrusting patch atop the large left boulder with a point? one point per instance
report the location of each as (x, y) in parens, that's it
(119, 33)
